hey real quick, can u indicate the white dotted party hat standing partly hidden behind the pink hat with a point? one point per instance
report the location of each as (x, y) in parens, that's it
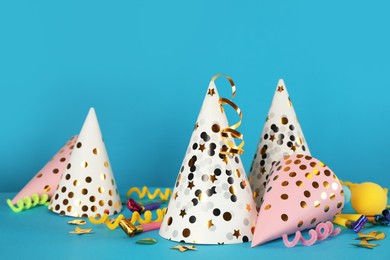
(282, 135)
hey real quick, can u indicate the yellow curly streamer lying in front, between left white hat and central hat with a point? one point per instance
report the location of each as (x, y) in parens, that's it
(136, 217)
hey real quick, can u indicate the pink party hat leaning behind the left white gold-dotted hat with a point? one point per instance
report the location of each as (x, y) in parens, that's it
(46, 180)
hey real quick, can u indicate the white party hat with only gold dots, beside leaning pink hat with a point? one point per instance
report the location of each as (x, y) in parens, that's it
(87, 186)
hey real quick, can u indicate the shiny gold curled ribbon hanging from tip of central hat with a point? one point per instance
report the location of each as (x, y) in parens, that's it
(230, 131)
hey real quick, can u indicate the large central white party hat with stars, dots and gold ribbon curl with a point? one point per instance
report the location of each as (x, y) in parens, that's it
(211, 202)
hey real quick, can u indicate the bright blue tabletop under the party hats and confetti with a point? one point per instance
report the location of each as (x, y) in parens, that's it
(40, 234)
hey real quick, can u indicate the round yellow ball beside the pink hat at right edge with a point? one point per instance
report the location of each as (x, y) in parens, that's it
(368, 198)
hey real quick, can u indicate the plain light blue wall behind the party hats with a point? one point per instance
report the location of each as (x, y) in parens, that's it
(145, 67)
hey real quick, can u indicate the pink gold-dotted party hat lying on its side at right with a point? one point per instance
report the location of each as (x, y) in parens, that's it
(300, 193)
